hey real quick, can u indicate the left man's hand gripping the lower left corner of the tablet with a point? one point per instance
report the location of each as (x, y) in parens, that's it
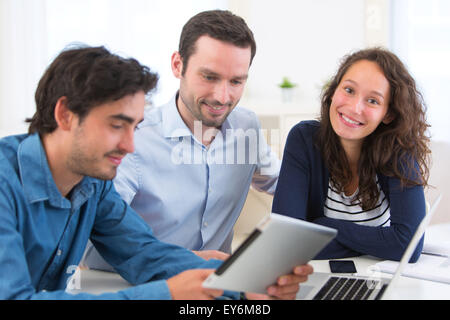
(188, 286)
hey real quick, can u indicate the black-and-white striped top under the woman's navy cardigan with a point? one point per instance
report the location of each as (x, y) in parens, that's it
(339, 206)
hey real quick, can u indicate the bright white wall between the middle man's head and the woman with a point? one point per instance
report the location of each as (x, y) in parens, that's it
(302, 40)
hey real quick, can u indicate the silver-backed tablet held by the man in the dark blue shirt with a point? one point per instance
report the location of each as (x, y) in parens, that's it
(274, 248)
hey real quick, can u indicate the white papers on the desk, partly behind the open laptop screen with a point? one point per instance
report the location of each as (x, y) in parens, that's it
(427, 267)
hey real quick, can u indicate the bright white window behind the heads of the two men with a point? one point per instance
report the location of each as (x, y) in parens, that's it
(147, 30)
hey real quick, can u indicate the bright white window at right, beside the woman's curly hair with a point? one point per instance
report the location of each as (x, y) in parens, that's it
(421, 37)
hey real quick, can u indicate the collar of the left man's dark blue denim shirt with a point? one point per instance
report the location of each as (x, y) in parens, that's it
(37, 179)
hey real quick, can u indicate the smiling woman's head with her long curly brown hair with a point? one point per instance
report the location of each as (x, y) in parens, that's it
(373, 88)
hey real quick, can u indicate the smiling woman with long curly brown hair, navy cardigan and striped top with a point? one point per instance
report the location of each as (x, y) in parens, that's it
(362, 169)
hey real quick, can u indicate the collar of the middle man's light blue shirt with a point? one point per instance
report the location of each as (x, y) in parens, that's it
(174, 126)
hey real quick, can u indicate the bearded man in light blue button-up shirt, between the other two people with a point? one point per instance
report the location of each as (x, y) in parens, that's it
(197, 156)
